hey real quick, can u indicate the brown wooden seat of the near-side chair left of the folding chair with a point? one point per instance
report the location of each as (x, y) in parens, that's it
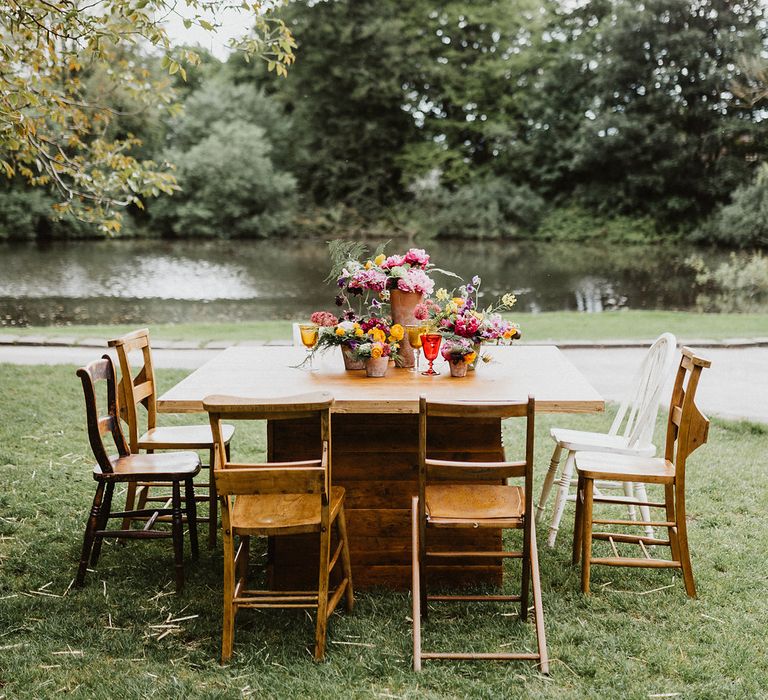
(281, 513)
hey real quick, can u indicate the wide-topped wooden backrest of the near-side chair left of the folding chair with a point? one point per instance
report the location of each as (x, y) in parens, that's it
(307, 476)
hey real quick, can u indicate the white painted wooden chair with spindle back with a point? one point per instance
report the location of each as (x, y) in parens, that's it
(637, 414)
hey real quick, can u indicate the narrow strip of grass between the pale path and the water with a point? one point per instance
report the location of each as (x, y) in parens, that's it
(560, 325)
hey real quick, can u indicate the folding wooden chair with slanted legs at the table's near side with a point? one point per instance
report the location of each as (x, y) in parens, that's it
(468, 505)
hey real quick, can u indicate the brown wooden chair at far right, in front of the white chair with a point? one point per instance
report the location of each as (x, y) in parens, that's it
(687, 429)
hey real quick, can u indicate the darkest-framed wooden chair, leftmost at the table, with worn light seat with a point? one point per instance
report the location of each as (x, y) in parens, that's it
(169, 469)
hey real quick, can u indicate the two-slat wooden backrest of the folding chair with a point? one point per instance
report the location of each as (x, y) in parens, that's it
(460, 470)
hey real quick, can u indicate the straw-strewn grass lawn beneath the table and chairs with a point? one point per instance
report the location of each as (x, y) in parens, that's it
(637, 636)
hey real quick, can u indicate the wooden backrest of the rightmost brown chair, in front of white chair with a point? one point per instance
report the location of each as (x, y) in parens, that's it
(687, 427)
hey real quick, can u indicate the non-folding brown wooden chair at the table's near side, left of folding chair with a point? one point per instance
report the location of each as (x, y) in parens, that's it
(279, 498)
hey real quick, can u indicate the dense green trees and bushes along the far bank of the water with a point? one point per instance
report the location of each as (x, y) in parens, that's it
(493, 119)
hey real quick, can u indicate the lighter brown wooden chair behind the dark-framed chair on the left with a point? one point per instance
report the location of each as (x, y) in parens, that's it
(138, 387)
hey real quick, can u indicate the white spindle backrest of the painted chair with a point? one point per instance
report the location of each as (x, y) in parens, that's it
(640, 408)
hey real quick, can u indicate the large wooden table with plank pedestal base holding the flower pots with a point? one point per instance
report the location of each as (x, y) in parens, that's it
(375, 434)
